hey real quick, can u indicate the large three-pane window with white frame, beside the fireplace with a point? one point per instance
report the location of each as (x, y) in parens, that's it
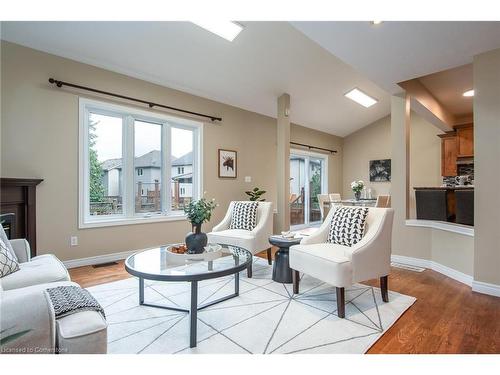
(135, 166)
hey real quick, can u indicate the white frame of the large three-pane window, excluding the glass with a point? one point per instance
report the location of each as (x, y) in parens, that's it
(129, 115)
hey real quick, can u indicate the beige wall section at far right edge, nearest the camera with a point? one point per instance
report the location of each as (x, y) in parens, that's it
(487, 166)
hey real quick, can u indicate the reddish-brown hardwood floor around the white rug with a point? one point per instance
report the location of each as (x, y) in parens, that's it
(446, 318)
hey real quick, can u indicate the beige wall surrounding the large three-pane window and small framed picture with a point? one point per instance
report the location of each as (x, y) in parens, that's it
(40, 139)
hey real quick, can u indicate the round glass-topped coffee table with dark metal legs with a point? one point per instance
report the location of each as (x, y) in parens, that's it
(160, 264)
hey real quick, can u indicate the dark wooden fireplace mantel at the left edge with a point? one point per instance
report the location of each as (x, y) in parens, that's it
(18, 196)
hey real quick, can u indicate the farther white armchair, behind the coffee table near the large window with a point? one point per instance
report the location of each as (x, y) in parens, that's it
(255, 240)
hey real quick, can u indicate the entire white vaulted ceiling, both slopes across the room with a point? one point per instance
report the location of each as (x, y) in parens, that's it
(315, 62)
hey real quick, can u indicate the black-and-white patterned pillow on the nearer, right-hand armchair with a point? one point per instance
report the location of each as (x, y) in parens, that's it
(348, 225)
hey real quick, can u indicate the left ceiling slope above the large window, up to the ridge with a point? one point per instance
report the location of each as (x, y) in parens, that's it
(264, 61)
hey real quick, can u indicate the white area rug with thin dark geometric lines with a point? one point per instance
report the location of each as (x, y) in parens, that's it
(265, 318)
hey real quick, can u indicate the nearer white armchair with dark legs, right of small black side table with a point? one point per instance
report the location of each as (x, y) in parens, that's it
(342, 266)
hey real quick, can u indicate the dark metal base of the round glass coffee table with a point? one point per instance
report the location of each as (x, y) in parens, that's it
(193, 310)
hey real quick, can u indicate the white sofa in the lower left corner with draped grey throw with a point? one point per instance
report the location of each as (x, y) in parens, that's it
(25, 307)
